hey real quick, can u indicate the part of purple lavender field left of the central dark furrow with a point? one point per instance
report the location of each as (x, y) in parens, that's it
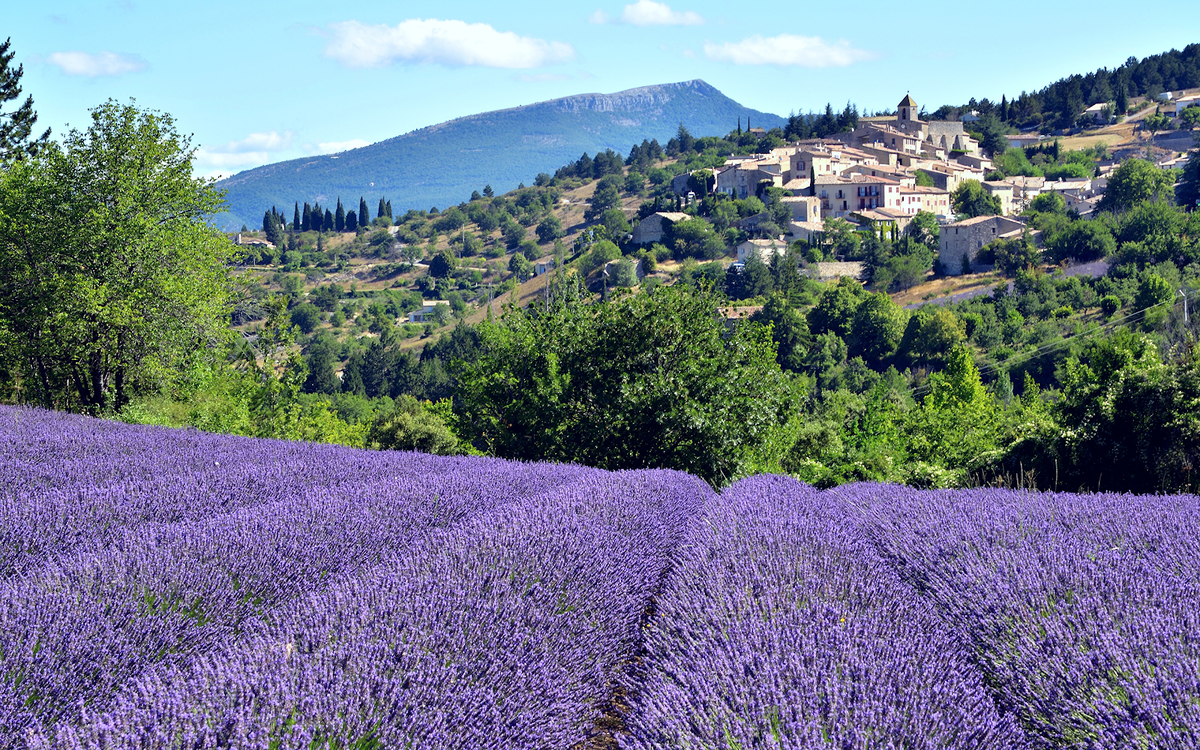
(347, 599)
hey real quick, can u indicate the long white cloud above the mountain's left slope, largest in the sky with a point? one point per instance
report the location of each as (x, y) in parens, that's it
(443, 43)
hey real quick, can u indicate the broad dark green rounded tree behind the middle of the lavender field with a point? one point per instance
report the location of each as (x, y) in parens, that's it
(652, 380)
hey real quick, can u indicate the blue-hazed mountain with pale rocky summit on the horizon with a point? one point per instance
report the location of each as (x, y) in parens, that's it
(412, 171)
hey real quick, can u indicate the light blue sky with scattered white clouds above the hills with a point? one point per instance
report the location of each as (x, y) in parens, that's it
(263, 82)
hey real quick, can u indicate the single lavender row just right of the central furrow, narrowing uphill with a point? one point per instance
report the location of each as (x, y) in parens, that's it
(781, 628)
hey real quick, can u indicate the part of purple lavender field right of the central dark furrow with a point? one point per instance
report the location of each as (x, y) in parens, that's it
(883, 617)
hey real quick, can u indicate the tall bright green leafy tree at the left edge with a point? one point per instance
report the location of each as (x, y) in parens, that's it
(112, 283)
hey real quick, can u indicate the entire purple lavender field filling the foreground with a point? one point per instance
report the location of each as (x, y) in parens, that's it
(179, 590)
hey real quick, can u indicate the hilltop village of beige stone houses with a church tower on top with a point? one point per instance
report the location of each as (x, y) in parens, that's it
(880, 176)
